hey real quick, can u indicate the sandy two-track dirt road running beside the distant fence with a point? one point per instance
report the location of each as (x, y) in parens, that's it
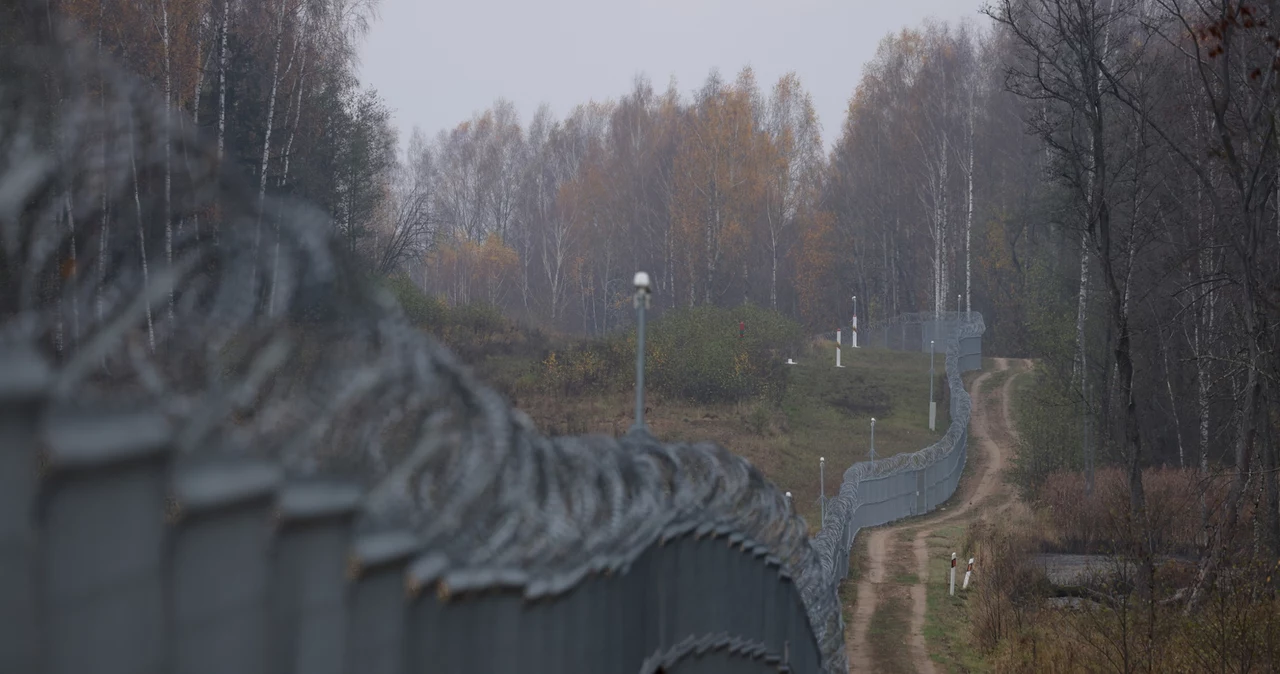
(993, 435)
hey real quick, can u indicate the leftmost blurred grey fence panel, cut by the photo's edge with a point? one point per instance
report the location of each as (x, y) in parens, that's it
(22, 398)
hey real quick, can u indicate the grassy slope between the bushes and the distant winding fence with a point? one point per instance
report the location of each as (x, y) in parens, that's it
(825, 412)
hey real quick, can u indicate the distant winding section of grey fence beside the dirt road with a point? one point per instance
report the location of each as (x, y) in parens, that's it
(880, 492)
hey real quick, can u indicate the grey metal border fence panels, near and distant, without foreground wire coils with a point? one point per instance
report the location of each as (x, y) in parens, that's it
(117, 557)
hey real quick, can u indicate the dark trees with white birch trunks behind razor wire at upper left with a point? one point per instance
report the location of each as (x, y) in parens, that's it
(273, 84)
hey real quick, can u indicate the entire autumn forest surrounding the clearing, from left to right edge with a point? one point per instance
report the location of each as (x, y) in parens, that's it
(1099, 178)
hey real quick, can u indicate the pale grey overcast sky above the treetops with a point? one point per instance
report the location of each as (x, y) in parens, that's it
(437, 63)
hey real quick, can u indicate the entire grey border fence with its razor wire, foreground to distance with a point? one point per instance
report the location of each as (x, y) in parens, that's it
(275, 473)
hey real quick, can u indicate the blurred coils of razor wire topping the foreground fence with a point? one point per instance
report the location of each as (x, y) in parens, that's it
(259, 336)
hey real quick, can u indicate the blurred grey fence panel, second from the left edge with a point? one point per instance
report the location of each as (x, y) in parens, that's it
(102, 553)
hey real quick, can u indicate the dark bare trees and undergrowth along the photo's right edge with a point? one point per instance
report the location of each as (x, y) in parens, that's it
(1149, 263)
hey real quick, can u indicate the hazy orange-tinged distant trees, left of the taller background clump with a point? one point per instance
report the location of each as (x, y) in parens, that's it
(552, 221)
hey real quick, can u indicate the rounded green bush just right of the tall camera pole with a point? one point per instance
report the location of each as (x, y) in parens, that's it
(697, 354)
